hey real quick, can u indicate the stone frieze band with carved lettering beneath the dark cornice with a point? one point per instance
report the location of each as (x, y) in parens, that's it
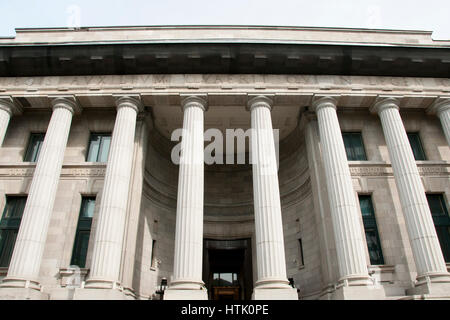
(207, 80)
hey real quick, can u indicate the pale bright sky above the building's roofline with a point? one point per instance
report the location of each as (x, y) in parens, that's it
(432, 15)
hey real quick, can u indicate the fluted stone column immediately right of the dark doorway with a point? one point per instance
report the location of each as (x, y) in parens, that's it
(271, 281)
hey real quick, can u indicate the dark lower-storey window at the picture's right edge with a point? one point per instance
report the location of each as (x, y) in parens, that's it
(441, 221)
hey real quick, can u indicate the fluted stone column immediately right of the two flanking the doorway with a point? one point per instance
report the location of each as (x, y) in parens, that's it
(350, 245)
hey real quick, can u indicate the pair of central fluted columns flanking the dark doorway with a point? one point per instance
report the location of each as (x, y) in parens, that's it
(270, 255)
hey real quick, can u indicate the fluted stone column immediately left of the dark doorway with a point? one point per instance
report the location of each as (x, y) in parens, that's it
(187, 281)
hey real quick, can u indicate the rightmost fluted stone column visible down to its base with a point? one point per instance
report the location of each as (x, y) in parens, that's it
(427, 253)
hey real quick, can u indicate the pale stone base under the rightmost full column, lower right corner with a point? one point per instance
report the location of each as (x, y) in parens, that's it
(433, 286)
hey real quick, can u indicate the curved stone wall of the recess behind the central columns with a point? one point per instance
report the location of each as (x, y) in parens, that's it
(228, 210)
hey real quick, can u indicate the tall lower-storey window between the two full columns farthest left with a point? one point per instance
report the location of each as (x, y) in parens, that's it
(83, 232)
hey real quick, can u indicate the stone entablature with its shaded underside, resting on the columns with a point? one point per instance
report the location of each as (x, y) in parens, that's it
(226, 95)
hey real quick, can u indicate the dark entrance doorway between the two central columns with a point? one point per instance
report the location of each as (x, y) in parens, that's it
(227, 269)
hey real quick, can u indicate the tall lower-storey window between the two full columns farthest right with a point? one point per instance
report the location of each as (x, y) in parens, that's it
(371, 230)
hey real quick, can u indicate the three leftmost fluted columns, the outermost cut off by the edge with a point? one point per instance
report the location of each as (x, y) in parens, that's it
(23, 271)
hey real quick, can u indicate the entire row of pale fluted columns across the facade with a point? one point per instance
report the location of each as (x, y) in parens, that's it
(271, 269)
